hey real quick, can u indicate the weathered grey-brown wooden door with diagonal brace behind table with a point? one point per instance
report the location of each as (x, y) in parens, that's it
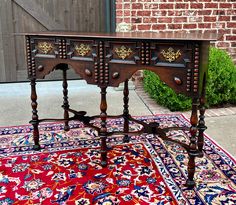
(20, 16)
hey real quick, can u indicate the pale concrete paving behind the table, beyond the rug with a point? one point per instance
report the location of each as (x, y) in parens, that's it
(16, 109)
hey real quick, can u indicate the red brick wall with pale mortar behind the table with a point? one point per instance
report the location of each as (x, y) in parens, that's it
(182, 16)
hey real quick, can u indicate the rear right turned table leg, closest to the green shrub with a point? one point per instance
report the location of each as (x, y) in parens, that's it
(201, 122)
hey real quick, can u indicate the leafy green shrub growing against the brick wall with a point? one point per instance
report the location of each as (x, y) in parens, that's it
(221, 85)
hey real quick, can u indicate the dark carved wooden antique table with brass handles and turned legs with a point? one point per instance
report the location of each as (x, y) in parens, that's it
(180, 60)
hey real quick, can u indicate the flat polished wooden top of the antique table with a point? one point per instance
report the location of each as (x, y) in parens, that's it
(196, 36)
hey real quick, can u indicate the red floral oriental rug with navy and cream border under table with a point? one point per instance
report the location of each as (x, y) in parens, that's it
(145, 171)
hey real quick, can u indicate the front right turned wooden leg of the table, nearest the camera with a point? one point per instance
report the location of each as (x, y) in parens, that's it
(193, 145)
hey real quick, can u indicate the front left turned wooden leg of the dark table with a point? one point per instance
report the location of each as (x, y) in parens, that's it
(34, 120)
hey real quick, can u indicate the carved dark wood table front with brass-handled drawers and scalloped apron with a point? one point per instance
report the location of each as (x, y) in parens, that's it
(109, 62)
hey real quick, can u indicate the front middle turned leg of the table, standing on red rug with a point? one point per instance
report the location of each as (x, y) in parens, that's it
(103, 130)
